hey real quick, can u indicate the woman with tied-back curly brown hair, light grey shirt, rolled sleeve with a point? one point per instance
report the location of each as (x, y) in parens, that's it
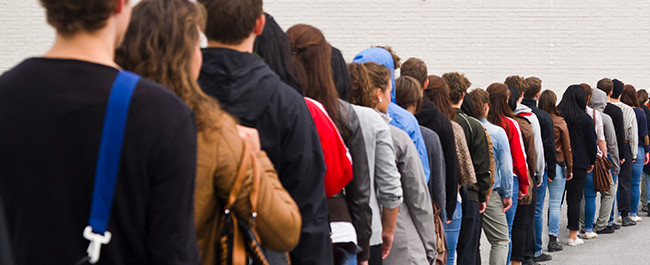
(386, 194)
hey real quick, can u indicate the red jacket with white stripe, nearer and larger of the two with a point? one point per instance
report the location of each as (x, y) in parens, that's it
(337, 157)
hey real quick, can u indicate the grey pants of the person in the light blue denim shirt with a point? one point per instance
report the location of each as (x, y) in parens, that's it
(495, 227)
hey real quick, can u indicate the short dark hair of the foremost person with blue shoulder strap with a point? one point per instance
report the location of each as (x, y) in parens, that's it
(69, 17)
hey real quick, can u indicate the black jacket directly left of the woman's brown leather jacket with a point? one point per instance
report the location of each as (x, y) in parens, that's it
(548, 138)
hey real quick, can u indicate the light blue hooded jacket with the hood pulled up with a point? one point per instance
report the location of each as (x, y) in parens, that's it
(400, 118)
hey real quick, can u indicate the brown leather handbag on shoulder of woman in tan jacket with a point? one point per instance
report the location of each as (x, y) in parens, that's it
(239, 242)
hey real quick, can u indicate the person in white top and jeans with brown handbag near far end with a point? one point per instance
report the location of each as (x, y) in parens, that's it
(588, 203)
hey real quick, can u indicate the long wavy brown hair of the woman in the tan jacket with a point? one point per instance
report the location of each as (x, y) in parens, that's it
(160, 40)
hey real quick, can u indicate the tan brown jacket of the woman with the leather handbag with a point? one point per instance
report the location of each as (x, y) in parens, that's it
(219, 152)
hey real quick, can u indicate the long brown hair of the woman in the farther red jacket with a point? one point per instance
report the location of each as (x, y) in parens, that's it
(499, 108)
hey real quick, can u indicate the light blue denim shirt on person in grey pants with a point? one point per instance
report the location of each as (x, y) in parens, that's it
(502, 159)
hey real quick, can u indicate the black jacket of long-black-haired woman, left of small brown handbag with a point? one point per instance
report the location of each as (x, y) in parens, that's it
(583, 142)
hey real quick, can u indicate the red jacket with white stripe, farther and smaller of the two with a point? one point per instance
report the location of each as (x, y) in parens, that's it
(519, 165)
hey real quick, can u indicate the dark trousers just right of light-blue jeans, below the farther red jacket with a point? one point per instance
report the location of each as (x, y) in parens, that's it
(520, 228)
